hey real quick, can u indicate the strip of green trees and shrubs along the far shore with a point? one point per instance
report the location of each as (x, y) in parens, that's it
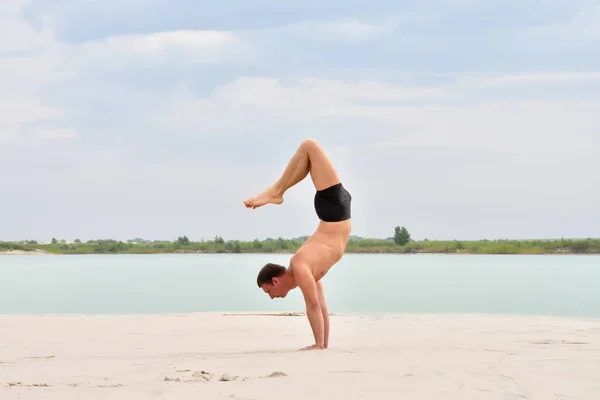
(399, 242)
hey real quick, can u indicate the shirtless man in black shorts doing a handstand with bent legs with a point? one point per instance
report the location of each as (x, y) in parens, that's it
(323, 249)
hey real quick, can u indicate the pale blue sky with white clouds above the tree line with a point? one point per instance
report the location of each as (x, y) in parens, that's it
(155, 119)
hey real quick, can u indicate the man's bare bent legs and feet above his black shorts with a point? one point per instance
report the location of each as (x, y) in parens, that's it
(309, 158)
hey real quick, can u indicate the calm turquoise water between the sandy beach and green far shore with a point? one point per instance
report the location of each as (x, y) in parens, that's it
(119, 284)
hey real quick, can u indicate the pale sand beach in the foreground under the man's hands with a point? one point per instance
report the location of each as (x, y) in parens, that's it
(244, 357)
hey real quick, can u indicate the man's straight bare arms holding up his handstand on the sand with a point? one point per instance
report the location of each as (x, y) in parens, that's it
(308, 286)
